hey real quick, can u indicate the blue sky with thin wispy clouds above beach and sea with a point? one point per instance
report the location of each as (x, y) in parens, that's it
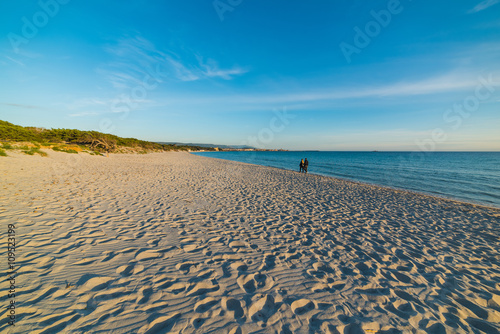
(327, 75)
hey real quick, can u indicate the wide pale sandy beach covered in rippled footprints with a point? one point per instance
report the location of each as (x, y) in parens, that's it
(172, 242)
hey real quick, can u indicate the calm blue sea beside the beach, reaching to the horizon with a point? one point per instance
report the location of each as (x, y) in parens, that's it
(468, 176)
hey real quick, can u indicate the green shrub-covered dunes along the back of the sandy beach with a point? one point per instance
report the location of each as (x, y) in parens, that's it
(92, 141)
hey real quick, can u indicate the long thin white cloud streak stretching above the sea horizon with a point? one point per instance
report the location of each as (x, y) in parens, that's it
(321, 97)
